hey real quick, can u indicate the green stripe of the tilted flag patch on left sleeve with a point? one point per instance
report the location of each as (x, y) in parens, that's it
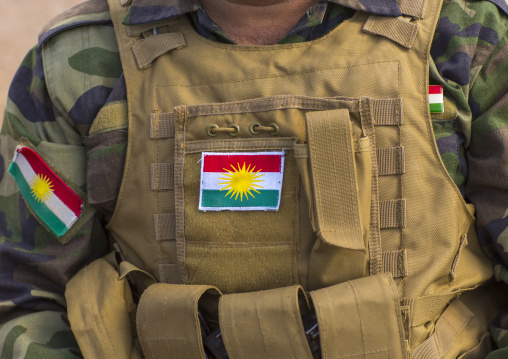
(51, 221)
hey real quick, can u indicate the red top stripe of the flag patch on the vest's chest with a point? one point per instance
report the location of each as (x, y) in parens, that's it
(264, 163)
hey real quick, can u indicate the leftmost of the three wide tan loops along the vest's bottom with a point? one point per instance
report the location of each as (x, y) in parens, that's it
(167, 321)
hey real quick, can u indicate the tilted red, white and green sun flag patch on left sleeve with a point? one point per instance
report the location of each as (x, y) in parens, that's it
(56, 205)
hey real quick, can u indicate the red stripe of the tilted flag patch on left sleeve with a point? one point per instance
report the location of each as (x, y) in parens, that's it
(61, 190)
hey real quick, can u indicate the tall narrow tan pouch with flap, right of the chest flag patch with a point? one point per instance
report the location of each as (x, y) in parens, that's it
(340, 160)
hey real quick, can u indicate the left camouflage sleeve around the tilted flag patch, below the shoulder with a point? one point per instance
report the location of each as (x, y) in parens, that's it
(34, 265)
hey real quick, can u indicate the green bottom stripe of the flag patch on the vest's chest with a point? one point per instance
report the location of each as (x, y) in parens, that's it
(217, 198)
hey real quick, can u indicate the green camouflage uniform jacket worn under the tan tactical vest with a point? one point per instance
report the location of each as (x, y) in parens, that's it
(72, 108)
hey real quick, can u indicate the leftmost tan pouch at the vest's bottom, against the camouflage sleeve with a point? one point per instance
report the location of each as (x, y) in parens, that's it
(99, 307)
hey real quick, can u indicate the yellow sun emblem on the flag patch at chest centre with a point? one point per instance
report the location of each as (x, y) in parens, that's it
(241, 181)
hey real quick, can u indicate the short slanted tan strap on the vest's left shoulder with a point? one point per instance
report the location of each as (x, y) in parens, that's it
(147, 50)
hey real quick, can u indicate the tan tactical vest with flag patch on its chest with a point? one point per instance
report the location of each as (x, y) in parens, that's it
(364, 190)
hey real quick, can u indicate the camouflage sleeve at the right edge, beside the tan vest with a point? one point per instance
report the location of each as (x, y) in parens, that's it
(487, 154)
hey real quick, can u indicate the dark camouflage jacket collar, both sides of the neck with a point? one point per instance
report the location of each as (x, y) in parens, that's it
(147, 11)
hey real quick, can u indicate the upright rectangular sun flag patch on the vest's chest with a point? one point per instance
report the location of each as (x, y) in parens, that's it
(241, 181)
